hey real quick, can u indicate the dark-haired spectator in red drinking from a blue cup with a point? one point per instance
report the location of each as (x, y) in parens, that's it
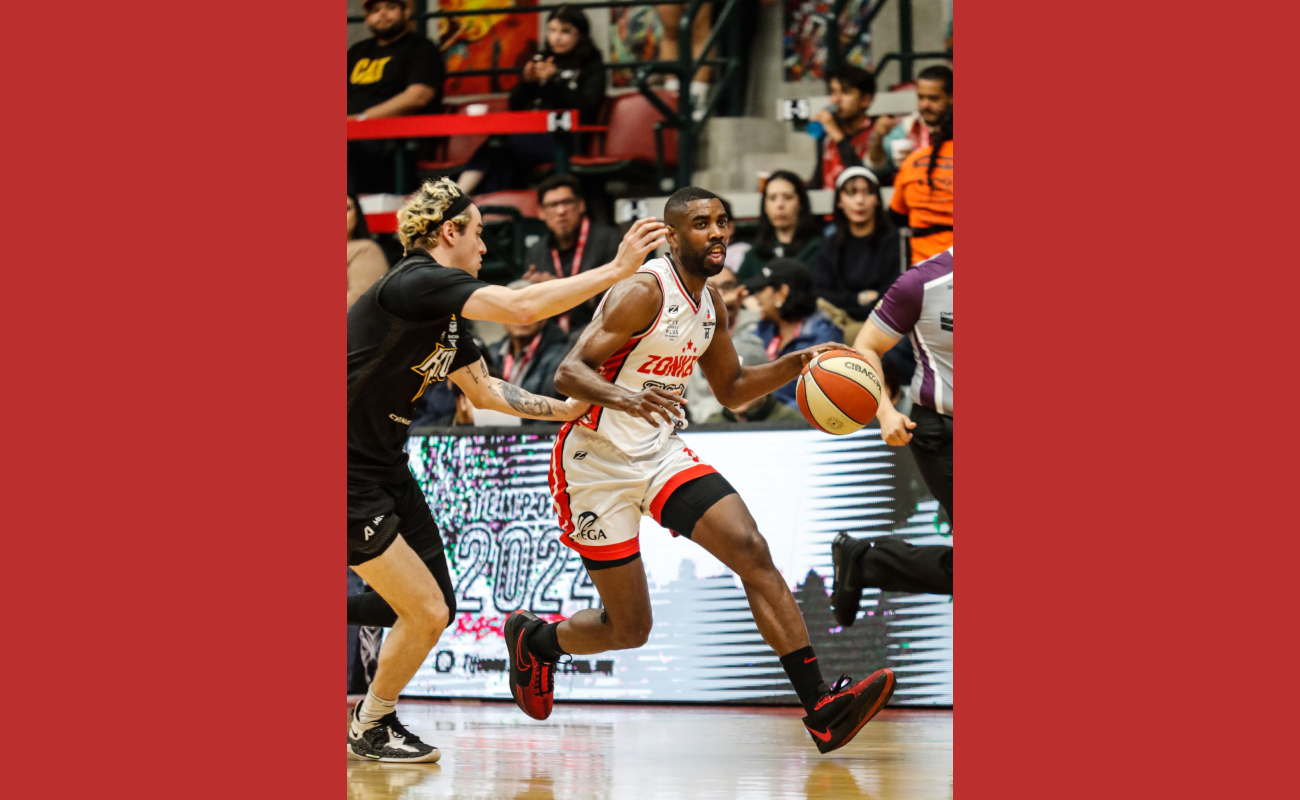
(850, 133)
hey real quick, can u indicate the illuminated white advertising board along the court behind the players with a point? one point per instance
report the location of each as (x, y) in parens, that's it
(491, 499)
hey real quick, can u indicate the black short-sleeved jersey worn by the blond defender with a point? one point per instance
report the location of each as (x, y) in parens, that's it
(404, 335)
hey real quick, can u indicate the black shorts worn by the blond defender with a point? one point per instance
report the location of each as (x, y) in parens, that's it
(376, 514)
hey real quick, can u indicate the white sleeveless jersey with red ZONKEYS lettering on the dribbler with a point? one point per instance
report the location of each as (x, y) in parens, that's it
(665, 357)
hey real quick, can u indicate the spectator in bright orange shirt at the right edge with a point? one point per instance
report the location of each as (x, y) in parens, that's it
(924, 193)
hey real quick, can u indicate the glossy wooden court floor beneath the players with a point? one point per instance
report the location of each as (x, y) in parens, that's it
(492, 750)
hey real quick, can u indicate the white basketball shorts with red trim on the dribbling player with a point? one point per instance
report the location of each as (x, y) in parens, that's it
(601, 494)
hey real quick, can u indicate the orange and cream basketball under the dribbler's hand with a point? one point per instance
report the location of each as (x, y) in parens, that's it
(839, 392)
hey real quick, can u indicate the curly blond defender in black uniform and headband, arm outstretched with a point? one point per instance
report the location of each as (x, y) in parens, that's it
(406, 334)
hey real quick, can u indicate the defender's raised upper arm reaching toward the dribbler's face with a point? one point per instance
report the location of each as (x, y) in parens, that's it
(544, 301)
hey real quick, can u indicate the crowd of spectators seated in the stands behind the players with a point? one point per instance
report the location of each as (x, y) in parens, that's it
(803, 280)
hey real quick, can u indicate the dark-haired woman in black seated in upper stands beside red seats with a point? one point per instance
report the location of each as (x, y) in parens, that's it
(569, 73)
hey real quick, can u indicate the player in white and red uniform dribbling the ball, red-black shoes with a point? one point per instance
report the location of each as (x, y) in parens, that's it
(625, 460)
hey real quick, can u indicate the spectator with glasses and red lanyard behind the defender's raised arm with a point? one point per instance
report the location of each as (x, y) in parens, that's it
(574, 243)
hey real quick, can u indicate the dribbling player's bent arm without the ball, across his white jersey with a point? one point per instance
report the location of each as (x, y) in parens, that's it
(630, 309)
